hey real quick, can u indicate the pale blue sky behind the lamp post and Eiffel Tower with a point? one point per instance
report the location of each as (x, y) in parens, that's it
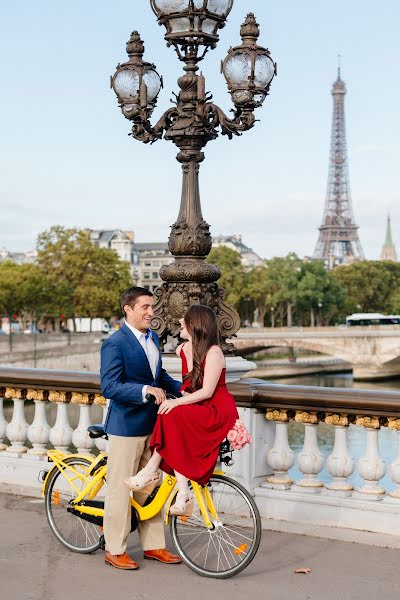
(66, 158)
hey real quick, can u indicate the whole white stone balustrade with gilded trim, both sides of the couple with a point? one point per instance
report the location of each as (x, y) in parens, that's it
(285, 477)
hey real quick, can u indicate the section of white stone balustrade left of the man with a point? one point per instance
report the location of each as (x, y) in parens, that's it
(23, 446)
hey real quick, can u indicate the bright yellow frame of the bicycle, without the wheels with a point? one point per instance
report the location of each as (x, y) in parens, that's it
(90, 490)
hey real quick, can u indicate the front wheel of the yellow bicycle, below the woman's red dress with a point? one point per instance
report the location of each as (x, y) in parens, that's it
(232, 542)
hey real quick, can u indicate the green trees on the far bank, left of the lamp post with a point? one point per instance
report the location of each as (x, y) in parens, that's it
(72, 277)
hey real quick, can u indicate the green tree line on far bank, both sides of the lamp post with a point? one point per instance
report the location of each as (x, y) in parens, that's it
(74, 278)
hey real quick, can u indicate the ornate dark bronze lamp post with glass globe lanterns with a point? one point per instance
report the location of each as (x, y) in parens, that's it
(192, 29)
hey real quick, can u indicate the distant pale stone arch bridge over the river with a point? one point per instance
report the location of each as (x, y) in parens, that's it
(373, 351)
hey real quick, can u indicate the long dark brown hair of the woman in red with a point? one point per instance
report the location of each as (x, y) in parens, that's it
(201, 323)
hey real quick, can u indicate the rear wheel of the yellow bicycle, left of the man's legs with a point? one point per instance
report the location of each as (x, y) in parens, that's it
(71, 530)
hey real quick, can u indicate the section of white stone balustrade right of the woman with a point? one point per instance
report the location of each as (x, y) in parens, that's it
(294, 489)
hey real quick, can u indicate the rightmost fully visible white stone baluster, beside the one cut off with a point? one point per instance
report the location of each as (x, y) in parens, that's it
(371, 467)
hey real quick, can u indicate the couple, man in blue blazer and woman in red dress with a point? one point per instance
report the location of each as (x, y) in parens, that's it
(180, 436)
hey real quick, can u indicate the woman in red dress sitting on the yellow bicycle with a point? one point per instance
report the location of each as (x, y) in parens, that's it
(190, 429)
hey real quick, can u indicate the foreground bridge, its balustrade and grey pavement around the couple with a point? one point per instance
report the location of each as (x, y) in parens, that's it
(341, 491)
